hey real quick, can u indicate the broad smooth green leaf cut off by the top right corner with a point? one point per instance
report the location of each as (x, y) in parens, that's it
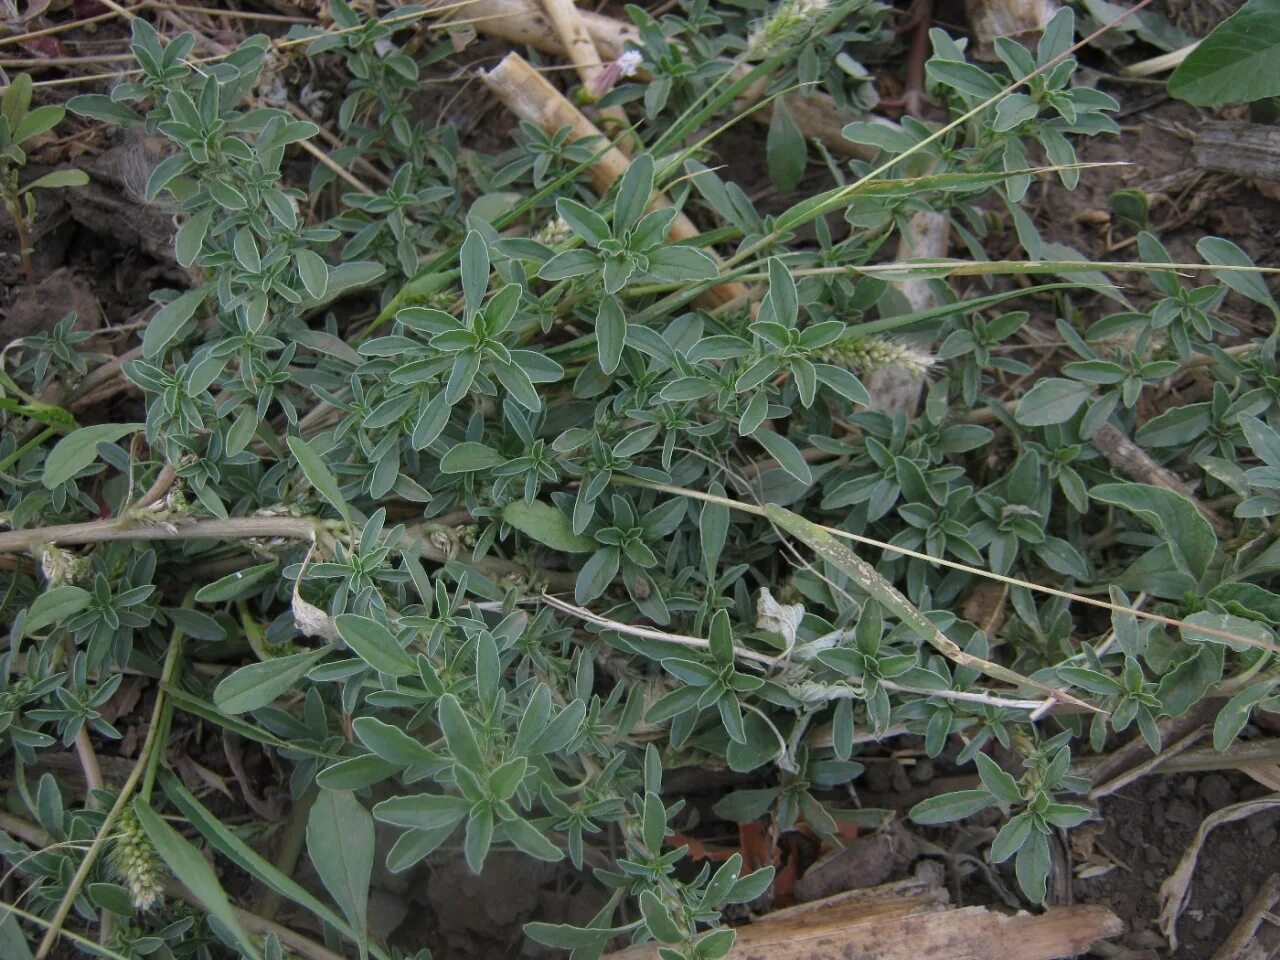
(1238, 63)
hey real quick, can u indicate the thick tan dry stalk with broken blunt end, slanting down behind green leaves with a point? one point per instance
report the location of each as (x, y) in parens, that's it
(533, 99)
